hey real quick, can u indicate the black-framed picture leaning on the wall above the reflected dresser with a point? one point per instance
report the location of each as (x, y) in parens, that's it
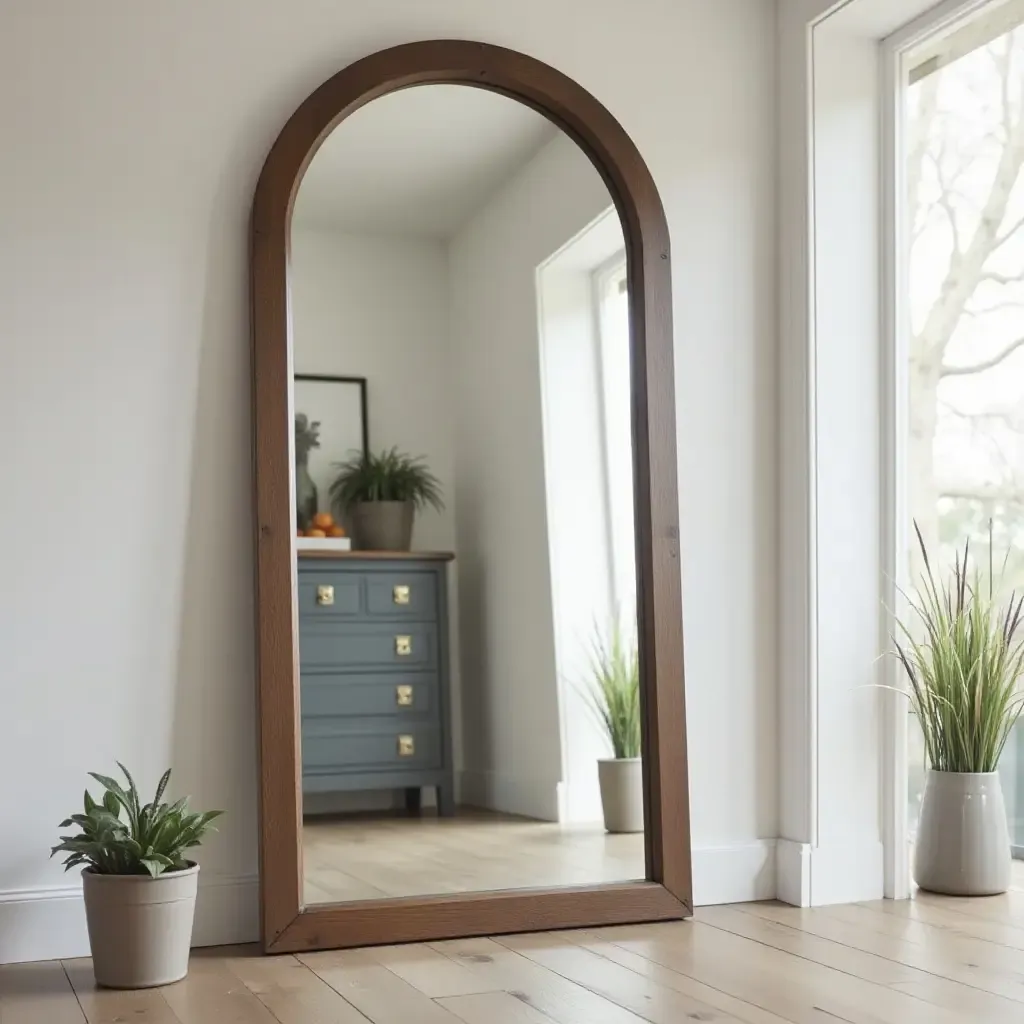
(331, 423)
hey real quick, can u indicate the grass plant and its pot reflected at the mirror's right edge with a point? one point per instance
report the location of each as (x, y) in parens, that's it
(615, 694)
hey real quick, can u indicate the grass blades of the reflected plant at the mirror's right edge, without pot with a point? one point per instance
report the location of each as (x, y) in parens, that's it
(615, 691)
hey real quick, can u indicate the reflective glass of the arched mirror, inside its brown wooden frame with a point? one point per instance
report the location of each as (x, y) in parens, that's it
(464, 501)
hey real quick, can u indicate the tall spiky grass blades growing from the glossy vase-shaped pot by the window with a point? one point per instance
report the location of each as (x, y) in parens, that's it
(963, 664)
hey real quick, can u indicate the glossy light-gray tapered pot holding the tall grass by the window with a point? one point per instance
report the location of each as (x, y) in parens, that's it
(963, 846)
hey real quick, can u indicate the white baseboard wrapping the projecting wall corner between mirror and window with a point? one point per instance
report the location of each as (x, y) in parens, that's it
(842, 873)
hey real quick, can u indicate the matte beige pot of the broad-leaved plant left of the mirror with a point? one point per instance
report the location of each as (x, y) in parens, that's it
(140, 927)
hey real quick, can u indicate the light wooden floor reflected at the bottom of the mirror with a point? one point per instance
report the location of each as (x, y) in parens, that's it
(370, 858)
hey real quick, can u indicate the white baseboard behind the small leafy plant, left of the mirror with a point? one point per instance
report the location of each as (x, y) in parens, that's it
(50, 924)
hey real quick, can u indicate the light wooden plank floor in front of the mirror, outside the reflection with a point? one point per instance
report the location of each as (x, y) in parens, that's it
(928, 961)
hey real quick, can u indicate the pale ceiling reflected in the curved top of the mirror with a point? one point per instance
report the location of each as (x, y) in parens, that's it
(419, 162)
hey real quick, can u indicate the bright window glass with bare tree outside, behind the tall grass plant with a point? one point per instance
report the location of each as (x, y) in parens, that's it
(964, 175)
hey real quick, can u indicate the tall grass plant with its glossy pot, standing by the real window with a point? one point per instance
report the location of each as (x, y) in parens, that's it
(963, 657)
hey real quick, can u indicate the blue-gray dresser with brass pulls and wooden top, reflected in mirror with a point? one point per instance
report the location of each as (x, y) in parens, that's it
(374, 674)
